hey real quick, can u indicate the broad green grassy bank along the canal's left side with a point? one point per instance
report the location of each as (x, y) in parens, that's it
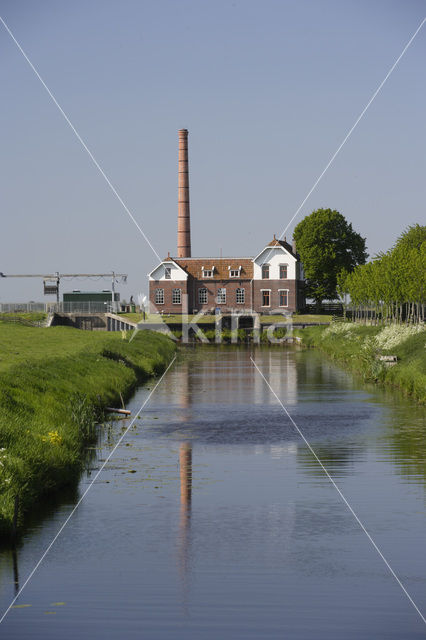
(54, 384)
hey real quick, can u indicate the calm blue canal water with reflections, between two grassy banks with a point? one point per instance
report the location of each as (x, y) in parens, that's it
(214, 521)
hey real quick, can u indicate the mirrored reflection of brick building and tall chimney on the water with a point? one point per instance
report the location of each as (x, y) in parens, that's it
(228, 381)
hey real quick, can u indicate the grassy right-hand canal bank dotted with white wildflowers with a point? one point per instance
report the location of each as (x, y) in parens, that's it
(359, 347)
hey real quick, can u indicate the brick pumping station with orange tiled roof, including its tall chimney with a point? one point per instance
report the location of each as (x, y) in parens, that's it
(271, 282)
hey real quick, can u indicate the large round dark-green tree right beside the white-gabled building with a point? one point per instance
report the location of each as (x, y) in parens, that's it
(327, 244)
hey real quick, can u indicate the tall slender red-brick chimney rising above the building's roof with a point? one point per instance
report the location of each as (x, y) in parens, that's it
(184, 226)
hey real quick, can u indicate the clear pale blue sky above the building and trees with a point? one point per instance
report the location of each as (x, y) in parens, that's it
(267, 90)
